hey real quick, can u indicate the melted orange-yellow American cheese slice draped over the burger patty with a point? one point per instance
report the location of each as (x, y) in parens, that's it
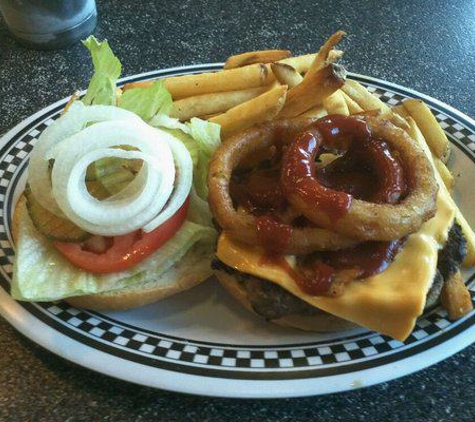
(389, 302)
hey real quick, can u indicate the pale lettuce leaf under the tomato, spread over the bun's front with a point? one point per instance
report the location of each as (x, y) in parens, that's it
(42, 274)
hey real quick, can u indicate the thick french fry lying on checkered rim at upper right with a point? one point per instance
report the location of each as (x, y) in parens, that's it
(430, 128)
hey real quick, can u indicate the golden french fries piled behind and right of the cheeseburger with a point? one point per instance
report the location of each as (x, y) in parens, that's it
(260, 86)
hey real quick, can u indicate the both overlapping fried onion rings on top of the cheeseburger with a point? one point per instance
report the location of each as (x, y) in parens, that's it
(362, 221)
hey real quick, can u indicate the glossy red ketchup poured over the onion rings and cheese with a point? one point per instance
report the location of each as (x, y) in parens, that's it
(367, 170)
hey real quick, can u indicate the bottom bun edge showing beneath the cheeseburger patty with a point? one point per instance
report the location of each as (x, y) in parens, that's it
(321, 322)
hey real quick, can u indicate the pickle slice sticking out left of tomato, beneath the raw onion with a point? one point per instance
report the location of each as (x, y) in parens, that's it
(50, 225)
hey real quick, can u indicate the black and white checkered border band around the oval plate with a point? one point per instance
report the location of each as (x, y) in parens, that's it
(284, 362)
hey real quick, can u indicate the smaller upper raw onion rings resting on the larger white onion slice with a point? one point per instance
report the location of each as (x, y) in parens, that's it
(149, 200)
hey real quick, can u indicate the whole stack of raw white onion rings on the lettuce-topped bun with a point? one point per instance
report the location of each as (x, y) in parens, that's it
(158, 190)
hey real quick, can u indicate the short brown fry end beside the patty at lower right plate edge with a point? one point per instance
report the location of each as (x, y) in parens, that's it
(455, 297)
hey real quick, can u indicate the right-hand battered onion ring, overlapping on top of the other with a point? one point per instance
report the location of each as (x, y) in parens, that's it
(368, 220)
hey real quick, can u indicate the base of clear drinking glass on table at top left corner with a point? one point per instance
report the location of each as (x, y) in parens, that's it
(49, 24)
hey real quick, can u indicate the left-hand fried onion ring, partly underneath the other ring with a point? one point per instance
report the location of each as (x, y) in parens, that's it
(242, 226)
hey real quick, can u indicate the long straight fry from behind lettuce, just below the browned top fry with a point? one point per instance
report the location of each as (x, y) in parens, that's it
(252, 76)
